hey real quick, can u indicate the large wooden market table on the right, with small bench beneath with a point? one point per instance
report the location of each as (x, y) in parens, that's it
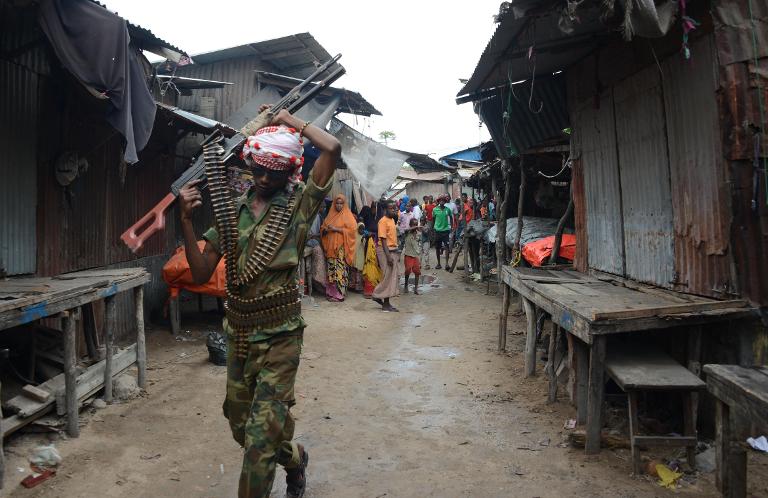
(591, 308)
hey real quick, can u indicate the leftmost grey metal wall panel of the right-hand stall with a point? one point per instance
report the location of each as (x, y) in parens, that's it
(595, 140)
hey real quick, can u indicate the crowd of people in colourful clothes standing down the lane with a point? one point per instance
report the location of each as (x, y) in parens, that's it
(362, 252)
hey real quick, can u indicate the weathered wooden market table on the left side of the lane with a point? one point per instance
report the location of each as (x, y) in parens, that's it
(25, 300)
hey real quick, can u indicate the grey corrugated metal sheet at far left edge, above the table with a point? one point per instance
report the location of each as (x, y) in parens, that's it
(19, 110)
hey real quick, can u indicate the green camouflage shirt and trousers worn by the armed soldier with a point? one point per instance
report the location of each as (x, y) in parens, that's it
(260, 387)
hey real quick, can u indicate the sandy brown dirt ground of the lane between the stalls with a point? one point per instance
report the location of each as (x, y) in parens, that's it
(412, 404)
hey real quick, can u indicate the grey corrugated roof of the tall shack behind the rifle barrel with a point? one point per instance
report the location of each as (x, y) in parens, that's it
(293, 55)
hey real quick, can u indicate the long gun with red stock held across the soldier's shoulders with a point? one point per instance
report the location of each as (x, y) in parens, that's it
(154, 220)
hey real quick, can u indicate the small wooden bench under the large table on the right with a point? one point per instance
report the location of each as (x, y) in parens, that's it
(647, 370)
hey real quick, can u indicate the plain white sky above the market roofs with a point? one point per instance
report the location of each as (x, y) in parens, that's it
(404, 57)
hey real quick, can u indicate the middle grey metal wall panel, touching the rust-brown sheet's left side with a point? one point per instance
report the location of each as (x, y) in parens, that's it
(644, 171)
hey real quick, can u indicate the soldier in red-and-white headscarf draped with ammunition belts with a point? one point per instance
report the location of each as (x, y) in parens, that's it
(263, 321)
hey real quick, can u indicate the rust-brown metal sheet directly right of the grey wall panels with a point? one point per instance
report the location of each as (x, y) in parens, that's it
(701, 201)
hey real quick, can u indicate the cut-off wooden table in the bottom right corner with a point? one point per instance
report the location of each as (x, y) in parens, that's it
(746, 390)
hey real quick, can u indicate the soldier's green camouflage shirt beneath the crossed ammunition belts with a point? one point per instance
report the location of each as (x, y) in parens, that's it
(282, 271)
